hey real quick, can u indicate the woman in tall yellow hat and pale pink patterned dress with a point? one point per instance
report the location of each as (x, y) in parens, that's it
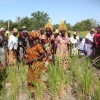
(62, 42)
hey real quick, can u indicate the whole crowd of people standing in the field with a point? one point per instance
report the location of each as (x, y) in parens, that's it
(41, 47)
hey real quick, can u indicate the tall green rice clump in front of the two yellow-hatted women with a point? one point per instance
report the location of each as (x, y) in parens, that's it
(53, 81)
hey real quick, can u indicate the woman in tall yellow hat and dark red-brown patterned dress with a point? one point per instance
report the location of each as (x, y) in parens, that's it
(48, 43)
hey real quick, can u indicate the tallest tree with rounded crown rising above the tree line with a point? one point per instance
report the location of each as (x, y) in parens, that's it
(39, 19)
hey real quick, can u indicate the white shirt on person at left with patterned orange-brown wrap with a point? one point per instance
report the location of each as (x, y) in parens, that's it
(12, 42)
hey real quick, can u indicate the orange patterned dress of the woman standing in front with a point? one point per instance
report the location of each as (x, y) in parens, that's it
(36, 68)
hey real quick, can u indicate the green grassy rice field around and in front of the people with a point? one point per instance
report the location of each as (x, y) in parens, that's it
(80, 81)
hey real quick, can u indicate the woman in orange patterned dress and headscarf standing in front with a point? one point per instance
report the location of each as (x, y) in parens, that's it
(34, 57)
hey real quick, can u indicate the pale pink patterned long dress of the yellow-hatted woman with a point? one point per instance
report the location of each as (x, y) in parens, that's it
(62, 51)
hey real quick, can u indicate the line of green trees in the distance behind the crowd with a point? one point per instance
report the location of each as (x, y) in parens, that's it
(39, 19)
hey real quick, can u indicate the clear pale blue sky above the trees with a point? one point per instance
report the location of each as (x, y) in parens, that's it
(72, 11)
